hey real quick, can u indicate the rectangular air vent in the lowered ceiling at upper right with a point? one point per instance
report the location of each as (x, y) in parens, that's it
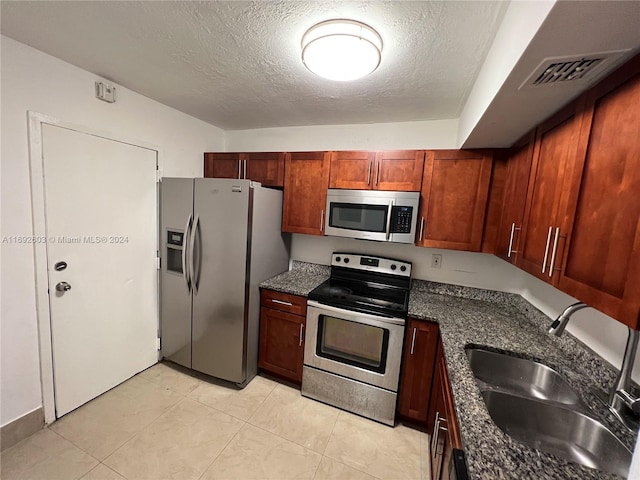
(583, 68)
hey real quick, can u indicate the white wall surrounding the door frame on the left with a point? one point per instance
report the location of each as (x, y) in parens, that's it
(32, 80)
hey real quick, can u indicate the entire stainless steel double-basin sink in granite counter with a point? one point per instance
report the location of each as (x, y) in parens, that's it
(535, 405)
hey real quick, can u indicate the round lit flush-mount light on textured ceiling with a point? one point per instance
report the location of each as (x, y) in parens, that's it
(341, 50)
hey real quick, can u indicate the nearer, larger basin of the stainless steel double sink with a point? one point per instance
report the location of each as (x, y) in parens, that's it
(558, 430)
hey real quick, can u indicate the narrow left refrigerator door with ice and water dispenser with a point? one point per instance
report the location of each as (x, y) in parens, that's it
(176, 207)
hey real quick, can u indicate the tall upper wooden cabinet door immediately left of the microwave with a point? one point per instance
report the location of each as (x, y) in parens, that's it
(305, 192)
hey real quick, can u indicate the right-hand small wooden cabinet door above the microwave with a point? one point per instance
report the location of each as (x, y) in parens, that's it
(399, 170)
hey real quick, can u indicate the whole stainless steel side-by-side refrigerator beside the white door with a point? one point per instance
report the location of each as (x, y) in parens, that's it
(219, 239)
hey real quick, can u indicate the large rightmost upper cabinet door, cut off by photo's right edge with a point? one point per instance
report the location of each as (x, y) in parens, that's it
(601, 266)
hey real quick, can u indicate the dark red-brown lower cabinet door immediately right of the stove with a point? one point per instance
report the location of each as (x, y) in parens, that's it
(417, 371)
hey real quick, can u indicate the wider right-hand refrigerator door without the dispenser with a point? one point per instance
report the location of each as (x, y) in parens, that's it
(222, 212)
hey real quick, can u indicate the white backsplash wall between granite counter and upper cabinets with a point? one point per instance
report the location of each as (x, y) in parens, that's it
(601, 333)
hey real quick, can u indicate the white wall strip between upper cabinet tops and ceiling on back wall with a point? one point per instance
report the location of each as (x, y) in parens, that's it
(376, 136)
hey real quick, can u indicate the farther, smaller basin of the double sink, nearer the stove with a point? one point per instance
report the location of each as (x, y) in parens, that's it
(521, 376)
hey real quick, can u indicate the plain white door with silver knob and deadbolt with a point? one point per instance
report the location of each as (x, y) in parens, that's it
(101, 218)
